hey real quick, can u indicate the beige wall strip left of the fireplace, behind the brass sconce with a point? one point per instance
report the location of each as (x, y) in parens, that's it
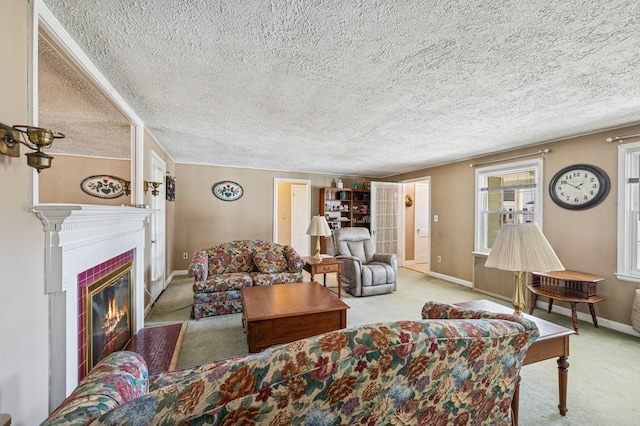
(24, 348)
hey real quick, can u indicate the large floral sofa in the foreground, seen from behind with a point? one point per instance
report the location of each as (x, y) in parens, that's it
(459, 368)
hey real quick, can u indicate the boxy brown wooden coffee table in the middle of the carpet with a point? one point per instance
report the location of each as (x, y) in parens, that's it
(283, 313)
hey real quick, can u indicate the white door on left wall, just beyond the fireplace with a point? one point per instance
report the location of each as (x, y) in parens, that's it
(157, 226)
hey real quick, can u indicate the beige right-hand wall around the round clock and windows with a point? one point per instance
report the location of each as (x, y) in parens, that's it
(584, 240)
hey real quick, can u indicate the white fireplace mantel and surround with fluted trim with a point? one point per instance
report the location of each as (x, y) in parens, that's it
(78, 237)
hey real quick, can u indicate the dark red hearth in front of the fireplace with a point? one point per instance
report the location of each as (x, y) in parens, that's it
(159, 346)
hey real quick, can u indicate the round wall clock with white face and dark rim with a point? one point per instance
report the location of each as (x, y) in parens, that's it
(579, 186)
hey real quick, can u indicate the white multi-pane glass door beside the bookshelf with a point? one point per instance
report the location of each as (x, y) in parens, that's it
(385, 229)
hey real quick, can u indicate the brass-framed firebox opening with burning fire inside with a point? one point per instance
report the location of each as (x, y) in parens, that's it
(109, 316)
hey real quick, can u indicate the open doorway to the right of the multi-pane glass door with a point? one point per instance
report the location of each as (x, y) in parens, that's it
(417, 224)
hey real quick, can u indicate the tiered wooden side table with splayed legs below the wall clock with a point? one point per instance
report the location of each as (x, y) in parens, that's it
(567, 286)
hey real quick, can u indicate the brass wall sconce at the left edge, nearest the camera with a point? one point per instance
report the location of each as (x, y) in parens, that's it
(34, 138)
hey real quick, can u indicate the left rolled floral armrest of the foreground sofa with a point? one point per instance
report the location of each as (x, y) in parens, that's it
(118, 378)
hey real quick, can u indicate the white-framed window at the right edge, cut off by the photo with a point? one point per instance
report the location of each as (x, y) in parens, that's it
(628, 212)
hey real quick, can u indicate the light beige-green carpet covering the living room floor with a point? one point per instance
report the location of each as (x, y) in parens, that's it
(604, 364)
